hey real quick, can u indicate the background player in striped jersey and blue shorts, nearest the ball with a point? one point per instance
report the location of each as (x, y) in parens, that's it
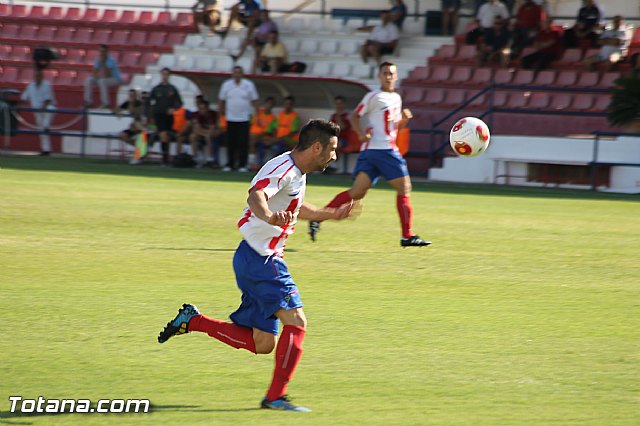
(379, 154)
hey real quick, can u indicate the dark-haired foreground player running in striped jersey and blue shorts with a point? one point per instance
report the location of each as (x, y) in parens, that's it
(269, 294)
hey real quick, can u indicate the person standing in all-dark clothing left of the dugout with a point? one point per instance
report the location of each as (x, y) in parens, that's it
(165, 100)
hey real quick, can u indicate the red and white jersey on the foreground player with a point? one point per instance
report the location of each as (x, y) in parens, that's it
(284, 185)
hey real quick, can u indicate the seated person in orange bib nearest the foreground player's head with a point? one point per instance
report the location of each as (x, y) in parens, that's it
(283, 131)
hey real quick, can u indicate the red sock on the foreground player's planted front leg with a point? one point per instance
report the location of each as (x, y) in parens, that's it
(288, 353)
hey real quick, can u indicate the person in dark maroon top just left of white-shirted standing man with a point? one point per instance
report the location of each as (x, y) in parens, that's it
(204, 134)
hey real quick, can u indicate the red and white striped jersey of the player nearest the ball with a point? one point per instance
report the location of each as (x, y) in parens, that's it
(383, 111)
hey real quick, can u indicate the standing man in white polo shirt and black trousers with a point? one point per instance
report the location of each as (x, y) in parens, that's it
(238, 97)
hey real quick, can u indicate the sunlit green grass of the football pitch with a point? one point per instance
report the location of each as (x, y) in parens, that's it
(525, 310)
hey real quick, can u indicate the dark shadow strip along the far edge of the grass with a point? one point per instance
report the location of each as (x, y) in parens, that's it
(120, 168)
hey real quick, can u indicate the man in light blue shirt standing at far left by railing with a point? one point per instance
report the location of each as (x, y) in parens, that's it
(40, 95)
